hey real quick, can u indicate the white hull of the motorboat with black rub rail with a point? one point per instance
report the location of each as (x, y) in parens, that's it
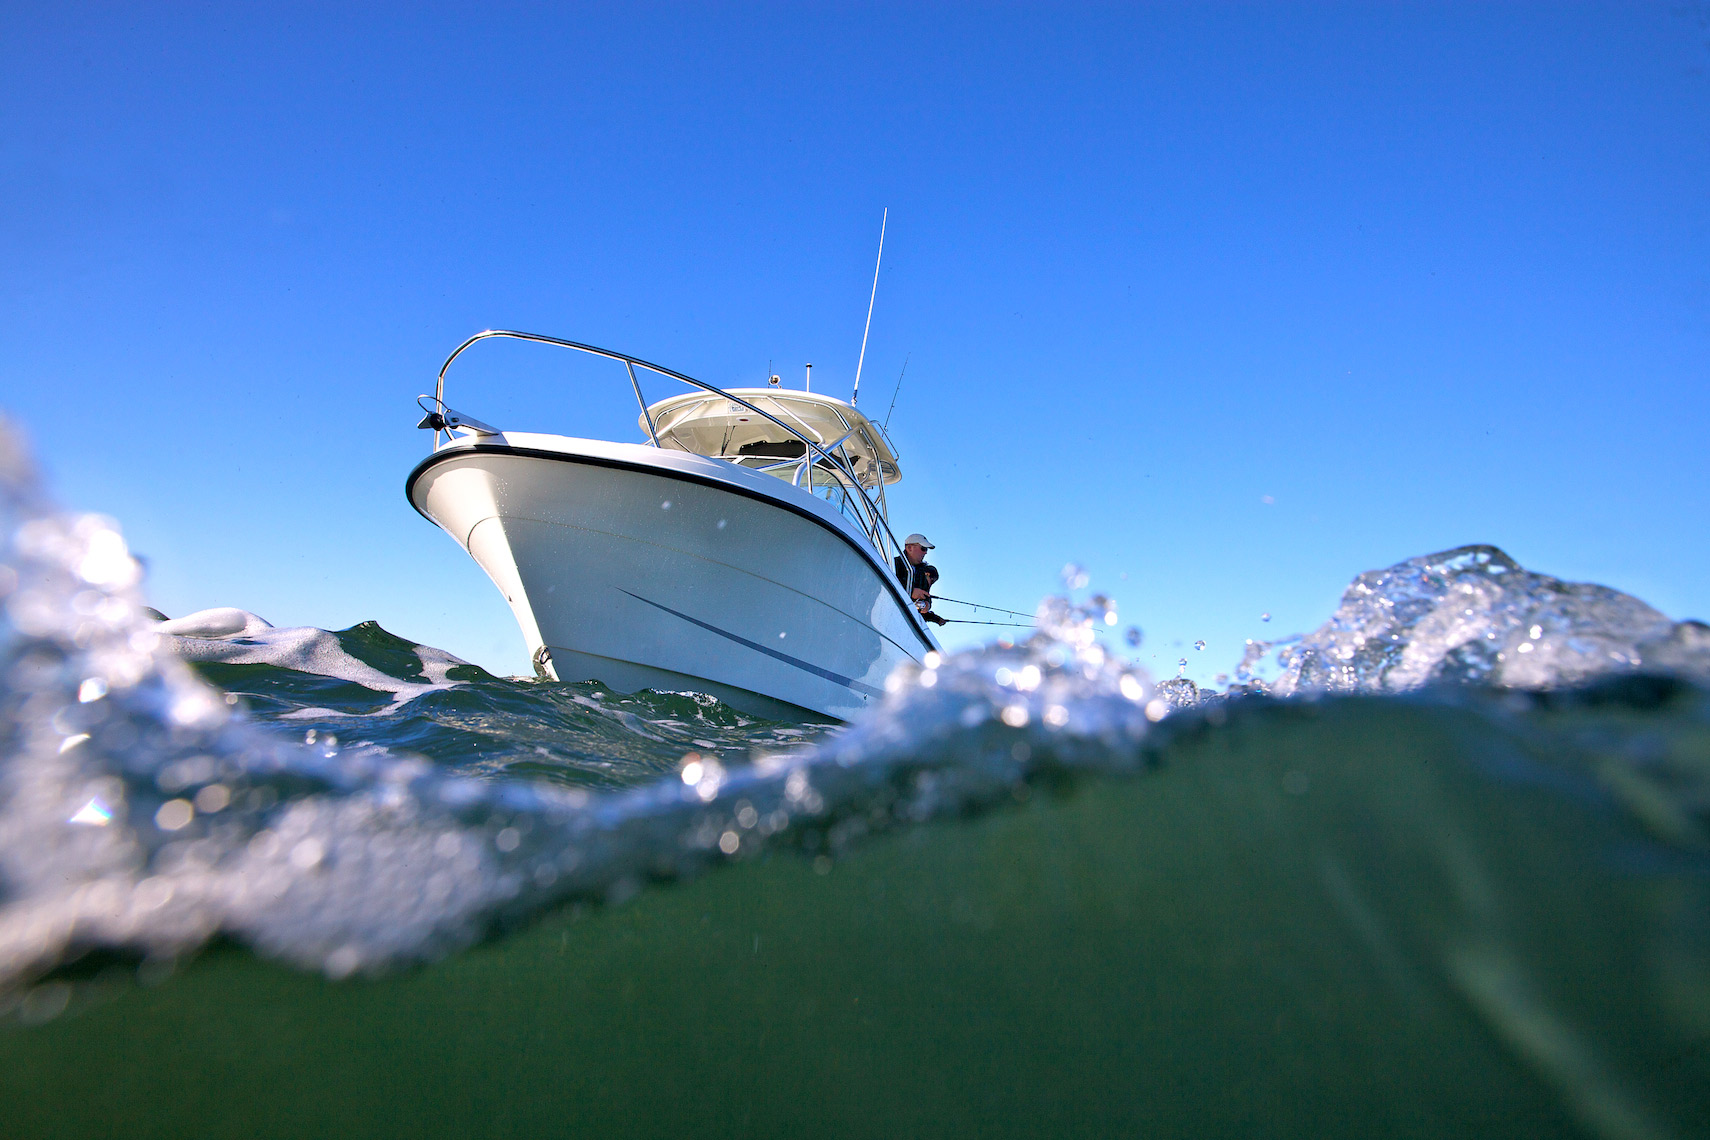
(644, 568)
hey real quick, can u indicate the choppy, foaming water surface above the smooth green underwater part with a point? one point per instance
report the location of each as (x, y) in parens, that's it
(146, 811)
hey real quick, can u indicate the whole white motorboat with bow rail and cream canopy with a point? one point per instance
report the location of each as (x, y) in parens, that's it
(740, 549)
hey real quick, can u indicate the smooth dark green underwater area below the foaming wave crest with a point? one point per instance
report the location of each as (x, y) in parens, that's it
(1477, 917)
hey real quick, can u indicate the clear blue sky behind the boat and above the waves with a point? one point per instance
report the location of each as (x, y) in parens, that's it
(1422, 274)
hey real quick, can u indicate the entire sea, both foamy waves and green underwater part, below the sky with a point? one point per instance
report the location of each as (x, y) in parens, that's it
(1436, 869)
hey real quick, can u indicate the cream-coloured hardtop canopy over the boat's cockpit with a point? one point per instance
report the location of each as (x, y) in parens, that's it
(721, 428)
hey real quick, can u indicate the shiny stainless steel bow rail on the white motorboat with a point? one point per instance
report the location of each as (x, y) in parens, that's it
(835, 455)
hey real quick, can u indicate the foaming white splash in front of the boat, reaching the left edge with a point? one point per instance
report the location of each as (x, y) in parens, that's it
(143, 813)
